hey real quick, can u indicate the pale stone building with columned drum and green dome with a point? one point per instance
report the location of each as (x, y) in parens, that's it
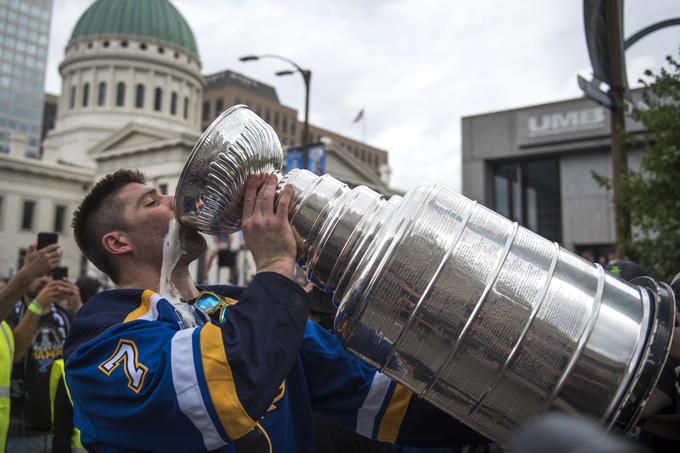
(130, 98)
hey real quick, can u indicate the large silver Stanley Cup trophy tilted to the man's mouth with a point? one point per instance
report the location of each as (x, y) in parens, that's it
(483, 318)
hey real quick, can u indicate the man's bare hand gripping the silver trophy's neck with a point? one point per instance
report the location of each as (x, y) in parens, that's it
(266, 228)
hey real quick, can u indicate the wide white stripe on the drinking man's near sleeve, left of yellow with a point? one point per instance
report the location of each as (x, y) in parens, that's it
(187, 389)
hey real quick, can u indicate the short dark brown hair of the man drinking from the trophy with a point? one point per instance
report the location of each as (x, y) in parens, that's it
(99, 213)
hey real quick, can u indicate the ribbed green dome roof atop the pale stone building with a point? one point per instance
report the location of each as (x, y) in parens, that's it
(157, 19)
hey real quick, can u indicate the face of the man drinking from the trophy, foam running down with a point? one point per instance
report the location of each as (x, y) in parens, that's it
(147, 213)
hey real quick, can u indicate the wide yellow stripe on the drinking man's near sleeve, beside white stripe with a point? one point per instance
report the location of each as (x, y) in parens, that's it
(221, 385)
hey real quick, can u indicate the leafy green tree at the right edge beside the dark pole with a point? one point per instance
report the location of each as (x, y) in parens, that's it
(652, 194)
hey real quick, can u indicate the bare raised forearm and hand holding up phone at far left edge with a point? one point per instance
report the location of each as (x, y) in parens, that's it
(36, 264)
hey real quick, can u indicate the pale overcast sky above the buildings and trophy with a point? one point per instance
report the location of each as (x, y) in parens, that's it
(416, 67)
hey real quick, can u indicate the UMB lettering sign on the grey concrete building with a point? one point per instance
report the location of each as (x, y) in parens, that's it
(569, 121)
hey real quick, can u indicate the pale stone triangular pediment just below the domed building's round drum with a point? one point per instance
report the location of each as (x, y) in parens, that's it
(136, 137)
